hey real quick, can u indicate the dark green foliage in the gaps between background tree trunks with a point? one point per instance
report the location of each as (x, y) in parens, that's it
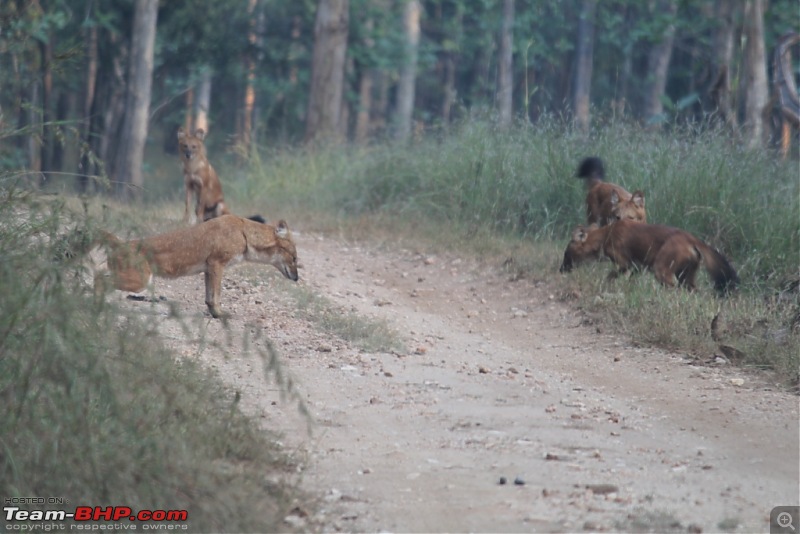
(218, 36)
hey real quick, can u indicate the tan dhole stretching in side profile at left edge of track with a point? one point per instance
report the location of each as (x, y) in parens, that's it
(204, 248)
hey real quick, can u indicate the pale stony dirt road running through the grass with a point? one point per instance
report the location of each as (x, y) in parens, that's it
(499, 381)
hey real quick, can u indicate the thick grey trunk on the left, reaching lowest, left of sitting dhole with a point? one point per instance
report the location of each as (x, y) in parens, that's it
(137, 102)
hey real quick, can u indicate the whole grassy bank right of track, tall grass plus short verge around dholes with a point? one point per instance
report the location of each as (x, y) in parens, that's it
(493, 189)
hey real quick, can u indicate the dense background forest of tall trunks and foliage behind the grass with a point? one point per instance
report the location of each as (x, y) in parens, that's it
(249, 68)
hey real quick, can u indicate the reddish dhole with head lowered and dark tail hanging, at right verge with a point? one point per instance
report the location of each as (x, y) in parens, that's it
(673, 255)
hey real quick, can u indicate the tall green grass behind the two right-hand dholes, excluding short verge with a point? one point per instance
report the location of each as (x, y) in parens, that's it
(520, 181)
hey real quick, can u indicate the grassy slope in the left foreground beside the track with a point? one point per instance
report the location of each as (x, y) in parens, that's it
(96, 411)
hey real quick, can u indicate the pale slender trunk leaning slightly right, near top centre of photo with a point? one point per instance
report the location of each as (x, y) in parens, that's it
(408, 73)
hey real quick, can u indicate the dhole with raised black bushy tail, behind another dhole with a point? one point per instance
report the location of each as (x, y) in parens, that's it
(605, 202)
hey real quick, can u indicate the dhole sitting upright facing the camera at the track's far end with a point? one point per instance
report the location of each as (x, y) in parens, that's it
(199, 178)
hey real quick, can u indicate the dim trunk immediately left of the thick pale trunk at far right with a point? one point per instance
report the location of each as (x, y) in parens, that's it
(722, 57)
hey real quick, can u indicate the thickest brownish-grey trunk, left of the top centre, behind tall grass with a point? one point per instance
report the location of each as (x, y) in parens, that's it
(327, 70)
